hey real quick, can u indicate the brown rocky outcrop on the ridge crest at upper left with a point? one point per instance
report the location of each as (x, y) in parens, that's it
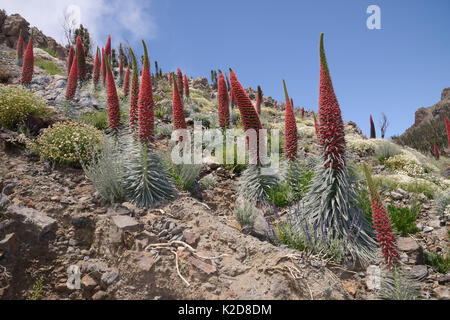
(10, 27)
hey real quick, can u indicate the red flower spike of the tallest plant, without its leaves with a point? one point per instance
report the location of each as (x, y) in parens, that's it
(332, 136)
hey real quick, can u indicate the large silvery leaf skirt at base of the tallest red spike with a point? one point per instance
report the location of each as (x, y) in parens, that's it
(332, 208)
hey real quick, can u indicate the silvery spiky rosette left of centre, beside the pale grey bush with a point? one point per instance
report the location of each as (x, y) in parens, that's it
(146, 180)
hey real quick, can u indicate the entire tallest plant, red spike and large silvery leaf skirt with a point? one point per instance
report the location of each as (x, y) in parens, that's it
(333, 203)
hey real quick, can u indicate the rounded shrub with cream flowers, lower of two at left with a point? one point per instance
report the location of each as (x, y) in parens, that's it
(67, 143)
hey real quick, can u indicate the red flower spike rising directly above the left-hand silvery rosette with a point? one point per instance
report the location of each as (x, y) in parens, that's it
(146, 118)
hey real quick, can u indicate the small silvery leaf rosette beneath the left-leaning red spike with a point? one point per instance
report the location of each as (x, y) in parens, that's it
(255, 185)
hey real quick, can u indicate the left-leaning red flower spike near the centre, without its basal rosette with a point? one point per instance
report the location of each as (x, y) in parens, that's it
(250, 118)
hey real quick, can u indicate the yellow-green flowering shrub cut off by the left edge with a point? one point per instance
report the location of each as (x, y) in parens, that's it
(16, 103)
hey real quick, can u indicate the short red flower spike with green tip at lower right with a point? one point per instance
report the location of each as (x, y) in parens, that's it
(385, 235)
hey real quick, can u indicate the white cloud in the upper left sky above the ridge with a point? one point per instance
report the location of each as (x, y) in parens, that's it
(123, 20)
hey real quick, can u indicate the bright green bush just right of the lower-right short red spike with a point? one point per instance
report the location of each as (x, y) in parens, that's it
(404, 219)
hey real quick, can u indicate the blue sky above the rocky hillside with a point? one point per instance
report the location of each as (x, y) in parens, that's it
(395, 70)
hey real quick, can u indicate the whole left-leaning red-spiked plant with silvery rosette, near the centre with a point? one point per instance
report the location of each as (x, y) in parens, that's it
(257, 181)
